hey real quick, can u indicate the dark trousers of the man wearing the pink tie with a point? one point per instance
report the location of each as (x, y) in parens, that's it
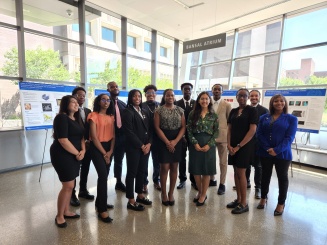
(119, 152)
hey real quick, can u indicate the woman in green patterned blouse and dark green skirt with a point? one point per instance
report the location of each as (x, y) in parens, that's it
(202, 128)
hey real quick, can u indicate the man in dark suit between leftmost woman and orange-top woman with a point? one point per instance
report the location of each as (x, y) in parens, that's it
(79, 93)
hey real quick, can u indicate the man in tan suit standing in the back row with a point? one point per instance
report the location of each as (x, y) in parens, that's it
(222, 109)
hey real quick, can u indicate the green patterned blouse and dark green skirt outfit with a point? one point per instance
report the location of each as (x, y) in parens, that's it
(204, 133)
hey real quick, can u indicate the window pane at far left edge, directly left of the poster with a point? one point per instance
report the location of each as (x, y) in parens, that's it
(10, 109)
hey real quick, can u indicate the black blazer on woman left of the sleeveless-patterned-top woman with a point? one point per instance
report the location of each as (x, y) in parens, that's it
(137, 130)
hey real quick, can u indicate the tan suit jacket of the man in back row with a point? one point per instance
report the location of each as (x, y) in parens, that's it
(223, 111)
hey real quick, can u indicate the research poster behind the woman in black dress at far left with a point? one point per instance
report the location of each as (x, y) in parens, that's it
(40, 103)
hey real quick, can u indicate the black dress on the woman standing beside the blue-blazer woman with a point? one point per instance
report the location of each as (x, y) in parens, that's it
(240, 126)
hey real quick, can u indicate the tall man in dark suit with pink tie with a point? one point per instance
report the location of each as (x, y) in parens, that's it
(120, 141)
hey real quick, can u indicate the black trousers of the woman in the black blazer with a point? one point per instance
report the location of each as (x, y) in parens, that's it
(136, 165)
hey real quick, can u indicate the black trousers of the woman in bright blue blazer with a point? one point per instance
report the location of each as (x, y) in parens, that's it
(281, 167)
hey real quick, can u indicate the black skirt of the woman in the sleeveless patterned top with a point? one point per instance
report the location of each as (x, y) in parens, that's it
(164, 155)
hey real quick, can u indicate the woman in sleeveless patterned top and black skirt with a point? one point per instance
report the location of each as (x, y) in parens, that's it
(169, 123)
